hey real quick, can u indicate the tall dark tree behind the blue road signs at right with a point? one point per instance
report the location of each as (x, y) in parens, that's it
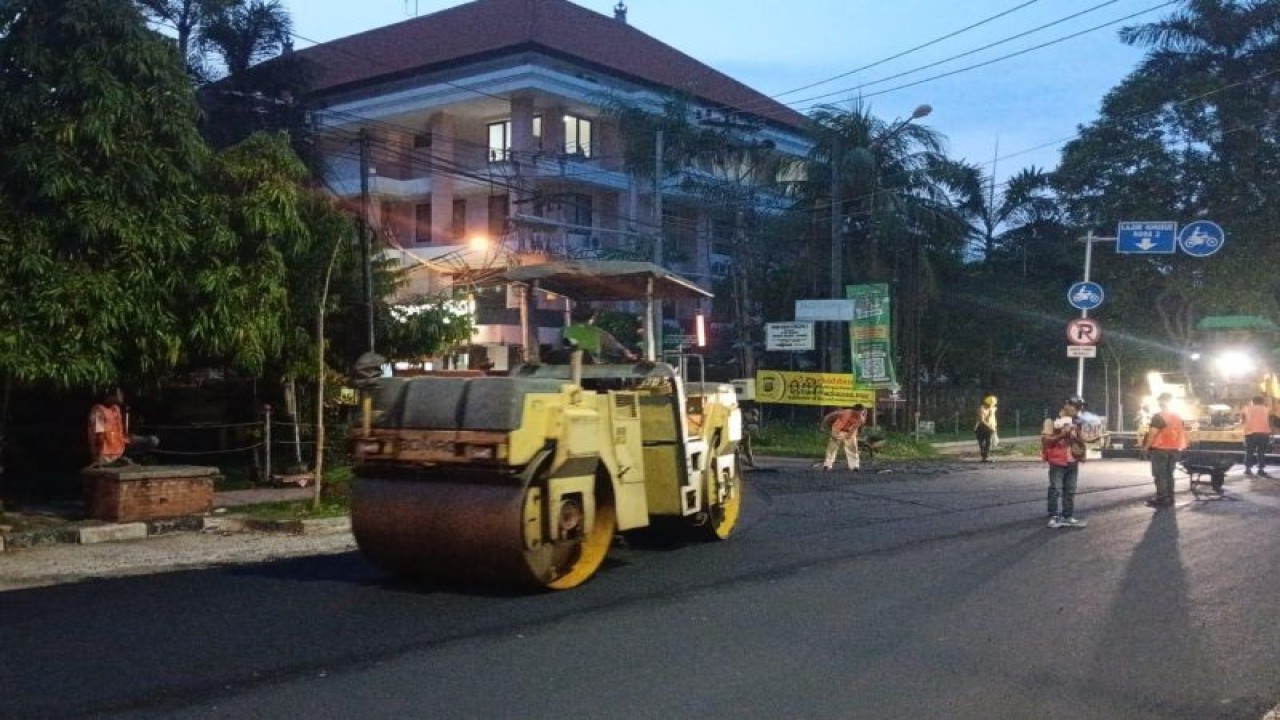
(1191, 134)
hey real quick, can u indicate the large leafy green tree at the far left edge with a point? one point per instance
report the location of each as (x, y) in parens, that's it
(99, 181)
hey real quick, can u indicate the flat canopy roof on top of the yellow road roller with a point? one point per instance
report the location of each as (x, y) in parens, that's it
(607, 281)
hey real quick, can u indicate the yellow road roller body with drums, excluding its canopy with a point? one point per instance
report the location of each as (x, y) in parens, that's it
(527, 480)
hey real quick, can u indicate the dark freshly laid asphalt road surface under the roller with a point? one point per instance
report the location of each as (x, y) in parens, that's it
(918, 591)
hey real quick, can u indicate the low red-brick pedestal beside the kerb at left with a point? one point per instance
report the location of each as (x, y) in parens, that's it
(149, 493)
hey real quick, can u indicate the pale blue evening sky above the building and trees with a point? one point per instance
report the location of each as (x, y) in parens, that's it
(1004, 116)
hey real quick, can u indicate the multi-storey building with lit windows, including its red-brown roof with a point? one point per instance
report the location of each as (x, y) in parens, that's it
(488, 135)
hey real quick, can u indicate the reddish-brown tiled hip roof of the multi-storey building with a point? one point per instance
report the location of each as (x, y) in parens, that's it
(487, 29)
